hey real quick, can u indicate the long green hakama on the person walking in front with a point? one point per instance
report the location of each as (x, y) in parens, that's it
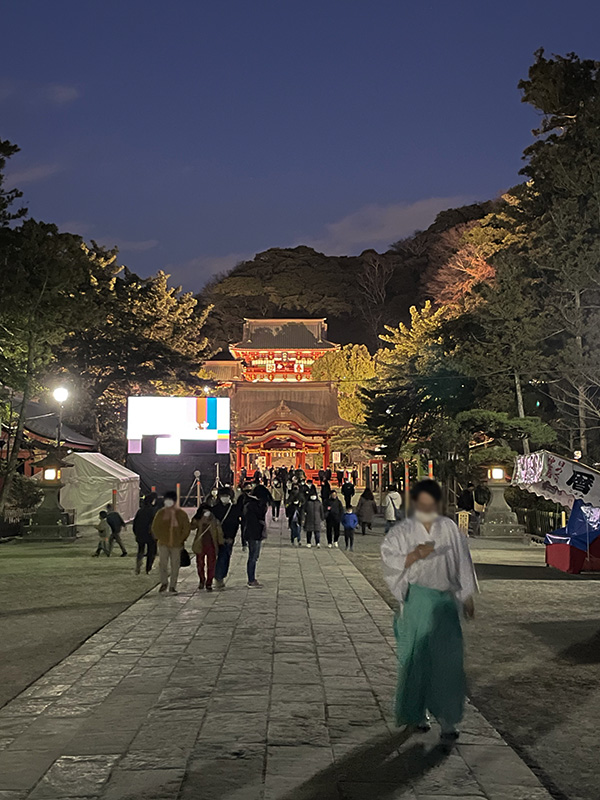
(431, 674)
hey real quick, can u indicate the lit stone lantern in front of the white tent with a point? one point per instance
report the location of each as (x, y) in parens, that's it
(50, 522)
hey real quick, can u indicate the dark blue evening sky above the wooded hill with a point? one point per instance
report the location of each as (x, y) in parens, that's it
(194, 133)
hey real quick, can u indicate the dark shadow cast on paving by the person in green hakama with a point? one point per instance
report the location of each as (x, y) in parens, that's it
(376, 771)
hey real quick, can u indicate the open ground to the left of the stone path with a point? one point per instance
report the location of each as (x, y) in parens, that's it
(53, 596)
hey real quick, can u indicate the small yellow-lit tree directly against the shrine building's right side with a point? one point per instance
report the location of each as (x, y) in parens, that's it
(350, 368)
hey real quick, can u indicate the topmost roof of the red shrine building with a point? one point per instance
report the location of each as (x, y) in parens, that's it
(284, 334)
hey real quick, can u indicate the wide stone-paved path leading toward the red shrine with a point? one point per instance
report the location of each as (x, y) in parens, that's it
(282, 693)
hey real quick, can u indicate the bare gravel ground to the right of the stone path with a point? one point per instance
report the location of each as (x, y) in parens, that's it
(533, 655)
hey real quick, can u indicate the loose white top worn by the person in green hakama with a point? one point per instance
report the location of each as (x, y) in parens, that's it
(449, 568)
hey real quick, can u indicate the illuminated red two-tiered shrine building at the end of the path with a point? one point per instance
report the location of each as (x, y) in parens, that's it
(280, 416)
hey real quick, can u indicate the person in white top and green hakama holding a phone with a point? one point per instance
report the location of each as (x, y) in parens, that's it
(427, 566)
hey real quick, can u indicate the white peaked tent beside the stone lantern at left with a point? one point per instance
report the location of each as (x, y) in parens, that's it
(89, 485)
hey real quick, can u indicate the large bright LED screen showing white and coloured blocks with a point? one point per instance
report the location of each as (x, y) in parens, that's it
(175, 425)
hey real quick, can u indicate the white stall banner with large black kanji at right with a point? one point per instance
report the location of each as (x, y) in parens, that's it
(556, 478)
